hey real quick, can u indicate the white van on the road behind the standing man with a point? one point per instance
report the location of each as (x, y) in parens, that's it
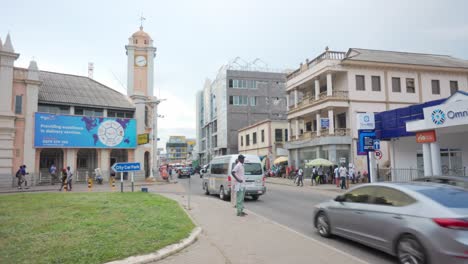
(217, 178)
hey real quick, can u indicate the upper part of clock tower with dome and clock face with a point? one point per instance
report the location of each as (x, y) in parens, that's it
(140, 68)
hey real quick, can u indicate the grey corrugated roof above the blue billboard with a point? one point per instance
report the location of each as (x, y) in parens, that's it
(59, 88)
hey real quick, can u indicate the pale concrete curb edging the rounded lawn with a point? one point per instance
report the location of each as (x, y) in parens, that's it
(164, 252)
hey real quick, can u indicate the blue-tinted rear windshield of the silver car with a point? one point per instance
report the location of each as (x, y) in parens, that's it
(449, 197)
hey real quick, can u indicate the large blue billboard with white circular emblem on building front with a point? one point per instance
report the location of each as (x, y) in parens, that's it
(84, 131)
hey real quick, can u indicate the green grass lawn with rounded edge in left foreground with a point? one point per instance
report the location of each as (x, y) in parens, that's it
(87, 227)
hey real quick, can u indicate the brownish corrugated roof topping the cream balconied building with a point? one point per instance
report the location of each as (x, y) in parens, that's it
(405, 58)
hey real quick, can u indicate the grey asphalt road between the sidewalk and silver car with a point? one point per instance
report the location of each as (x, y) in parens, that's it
(292, 207)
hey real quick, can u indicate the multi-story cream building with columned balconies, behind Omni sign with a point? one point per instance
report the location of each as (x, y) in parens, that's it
(326, 93)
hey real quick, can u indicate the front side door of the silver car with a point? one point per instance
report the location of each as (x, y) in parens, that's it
(346, 216)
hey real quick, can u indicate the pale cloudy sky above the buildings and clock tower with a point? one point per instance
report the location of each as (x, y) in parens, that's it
(195, 38)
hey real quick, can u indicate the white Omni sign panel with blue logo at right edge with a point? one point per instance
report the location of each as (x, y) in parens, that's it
(447, 115)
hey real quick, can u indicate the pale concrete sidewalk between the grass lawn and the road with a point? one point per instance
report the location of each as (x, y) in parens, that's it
(227, 238)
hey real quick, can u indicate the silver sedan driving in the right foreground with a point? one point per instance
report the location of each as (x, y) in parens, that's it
(417, 222)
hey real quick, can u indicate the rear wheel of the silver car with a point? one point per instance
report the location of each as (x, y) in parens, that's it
(410, 251)
